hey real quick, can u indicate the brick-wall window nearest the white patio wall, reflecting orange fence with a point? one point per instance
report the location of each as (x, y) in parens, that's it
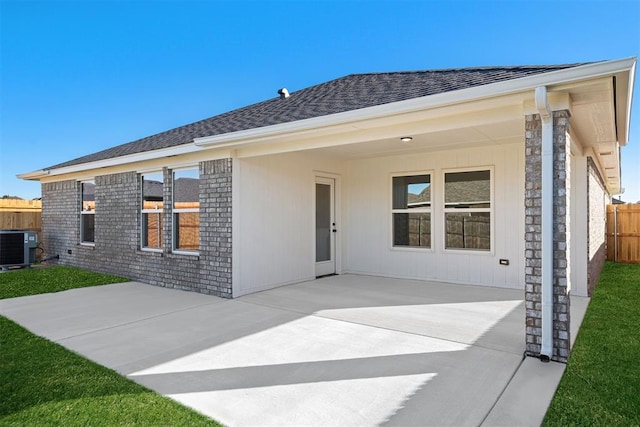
(186, 210)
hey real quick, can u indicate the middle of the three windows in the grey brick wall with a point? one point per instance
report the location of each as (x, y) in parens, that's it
(152, 210)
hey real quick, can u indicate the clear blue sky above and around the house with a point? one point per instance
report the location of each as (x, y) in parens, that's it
(79, 77)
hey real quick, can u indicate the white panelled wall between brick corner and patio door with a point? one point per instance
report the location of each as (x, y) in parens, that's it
(274, 220)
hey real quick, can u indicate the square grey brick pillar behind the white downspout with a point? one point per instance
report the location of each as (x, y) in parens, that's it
(533, 235)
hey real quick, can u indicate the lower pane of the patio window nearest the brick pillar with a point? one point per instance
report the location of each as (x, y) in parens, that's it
(468, 230)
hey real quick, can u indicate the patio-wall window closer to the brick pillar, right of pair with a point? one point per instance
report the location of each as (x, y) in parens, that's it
(467, 210)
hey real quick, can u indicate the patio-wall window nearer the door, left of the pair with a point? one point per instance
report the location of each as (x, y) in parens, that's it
(411, 210)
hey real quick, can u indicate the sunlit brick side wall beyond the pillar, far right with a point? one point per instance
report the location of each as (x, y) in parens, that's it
(597, 221)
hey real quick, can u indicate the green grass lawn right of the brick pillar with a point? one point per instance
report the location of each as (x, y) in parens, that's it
(601, 385)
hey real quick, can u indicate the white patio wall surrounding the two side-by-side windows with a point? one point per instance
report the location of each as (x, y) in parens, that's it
(367, 210)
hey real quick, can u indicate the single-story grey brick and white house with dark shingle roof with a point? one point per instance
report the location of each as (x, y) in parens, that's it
(494, 176)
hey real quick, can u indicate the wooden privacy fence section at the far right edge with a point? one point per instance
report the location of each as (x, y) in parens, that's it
(623, 233)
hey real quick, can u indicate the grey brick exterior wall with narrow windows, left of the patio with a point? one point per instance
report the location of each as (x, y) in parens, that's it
(118, 225)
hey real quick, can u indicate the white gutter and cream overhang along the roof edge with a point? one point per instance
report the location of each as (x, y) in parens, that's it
(601, 90)
